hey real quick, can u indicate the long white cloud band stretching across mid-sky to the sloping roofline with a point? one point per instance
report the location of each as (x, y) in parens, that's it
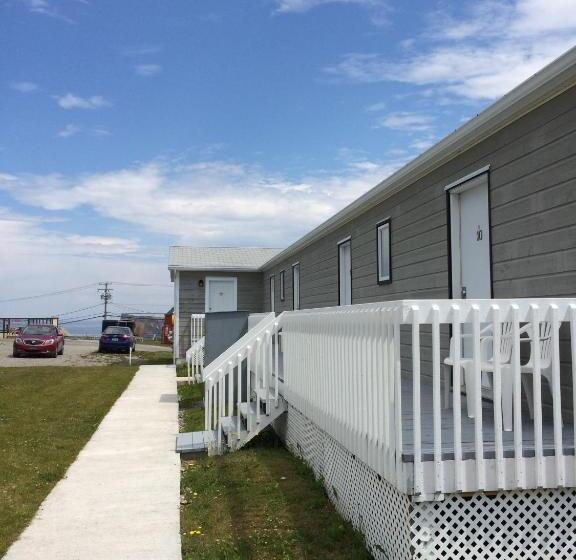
(204, 203)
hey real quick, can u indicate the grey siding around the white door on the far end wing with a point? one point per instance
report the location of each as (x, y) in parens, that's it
(192, 298)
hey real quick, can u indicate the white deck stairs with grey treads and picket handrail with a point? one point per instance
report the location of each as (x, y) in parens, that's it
(241, 392)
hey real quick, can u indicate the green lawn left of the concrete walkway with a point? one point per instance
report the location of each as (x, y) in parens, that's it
(47, 415)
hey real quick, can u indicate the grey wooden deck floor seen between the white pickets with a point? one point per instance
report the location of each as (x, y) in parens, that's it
(468, 445)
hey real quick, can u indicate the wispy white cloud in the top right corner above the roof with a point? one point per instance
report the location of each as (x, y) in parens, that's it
(479, 56)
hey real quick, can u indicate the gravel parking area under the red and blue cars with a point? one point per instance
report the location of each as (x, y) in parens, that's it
(76, 353)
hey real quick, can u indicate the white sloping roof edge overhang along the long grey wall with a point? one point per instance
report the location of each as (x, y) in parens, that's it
(551, 81)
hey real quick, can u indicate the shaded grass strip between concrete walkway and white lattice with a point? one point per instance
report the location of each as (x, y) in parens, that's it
(260, 502)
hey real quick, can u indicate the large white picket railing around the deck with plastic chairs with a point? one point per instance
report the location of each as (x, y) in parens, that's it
(371, 377)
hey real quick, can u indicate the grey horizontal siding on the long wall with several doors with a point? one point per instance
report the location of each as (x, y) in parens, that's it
(533, 222)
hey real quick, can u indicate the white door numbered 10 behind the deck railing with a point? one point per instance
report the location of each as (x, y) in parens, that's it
(470, 239)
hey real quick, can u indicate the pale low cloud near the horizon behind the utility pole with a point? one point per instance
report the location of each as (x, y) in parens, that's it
(31, 250)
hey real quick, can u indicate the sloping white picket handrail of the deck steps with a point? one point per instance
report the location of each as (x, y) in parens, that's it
(257, 355)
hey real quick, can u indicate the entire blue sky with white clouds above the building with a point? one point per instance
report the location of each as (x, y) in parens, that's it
(127, 127)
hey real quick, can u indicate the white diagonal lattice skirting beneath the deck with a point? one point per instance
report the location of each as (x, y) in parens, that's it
(511, 525)
